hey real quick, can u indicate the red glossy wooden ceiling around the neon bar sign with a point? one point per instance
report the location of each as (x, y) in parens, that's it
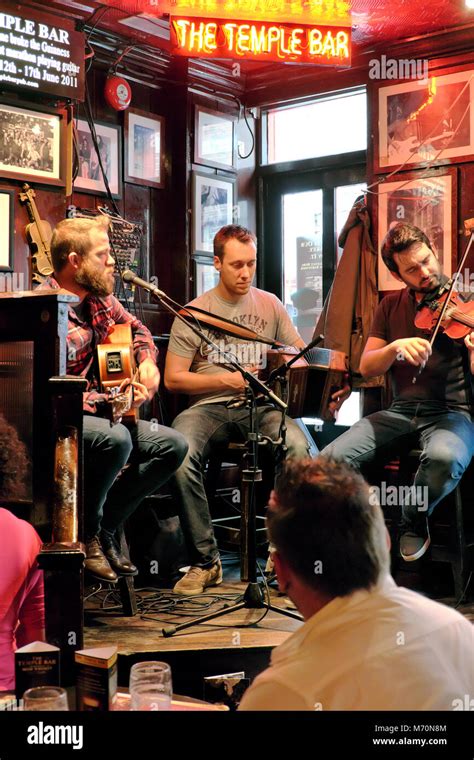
(137, 28)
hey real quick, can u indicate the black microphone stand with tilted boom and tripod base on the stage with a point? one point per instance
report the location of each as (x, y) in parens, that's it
(253, 597)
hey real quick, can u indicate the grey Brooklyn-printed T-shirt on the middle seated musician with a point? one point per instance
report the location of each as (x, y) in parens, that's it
(258, 310)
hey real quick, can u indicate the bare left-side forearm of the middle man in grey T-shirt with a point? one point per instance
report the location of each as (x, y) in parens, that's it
(179, 379)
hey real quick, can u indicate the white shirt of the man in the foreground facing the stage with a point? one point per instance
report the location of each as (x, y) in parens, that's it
(384, 649)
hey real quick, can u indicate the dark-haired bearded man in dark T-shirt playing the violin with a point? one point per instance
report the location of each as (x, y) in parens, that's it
(432, 405)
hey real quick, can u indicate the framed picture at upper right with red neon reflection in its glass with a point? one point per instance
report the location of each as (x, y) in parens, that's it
(426, 120)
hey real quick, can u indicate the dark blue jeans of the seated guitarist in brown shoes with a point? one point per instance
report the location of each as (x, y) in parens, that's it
(152, 457)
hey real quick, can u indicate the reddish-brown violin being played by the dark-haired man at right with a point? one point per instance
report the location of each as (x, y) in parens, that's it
(457, 320)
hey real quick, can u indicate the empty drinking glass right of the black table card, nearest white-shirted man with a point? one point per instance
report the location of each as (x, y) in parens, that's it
(151, 687)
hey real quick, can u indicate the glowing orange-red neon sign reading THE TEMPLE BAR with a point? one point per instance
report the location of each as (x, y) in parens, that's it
(258, 40)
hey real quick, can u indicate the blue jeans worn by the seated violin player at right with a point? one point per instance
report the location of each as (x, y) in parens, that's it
(446, 440)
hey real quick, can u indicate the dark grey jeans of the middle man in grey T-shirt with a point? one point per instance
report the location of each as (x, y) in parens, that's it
(208, 428)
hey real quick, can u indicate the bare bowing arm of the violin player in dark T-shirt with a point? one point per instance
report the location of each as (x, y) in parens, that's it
(379, 355)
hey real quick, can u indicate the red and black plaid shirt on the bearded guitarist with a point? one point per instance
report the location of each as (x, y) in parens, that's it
(83, 337)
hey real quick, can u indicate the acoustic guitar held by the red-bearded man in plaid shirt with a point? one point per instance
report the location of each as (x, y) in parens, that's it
(116, 360)
